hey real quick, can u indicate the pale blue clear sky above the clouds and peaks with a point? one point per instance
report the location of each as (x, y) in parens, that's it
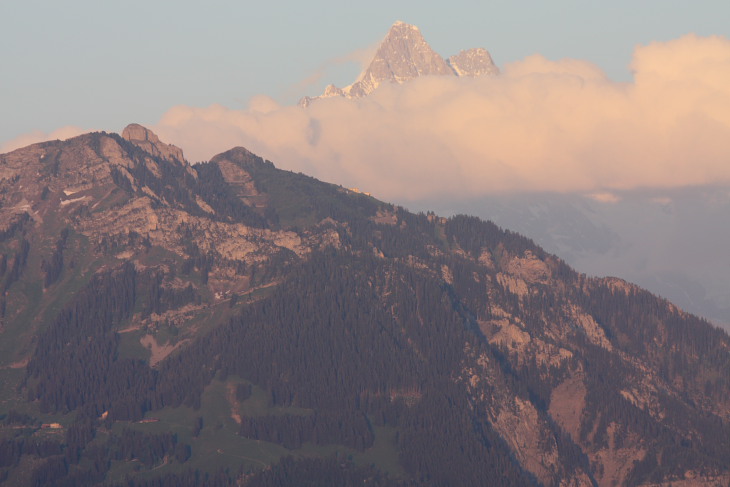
(100, 64)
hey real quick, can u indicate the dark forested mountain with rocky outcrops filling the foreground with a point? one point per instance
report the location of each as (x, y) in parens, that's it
(229, 323)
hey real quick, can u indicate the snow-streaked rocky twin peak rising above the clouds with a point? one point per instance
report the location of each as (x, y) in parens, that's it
(404, 55)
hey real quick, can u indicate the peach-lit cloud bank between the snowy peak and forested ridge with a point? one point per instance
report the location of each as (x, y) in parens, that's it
(541, 125)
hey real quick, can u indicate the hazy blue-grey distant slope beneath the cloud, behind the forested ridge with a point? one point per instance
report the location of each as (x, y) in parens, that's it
(670, 241)
